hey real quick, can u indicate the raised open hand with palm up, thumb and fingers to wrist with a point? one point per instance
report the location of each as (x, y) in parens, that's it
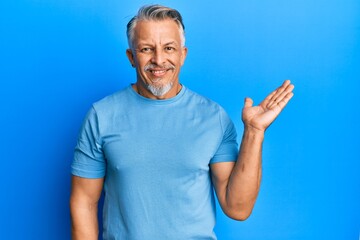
(260, 117)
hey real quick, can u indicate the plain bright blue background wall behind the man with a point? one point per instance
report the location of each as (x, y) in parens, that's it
(57, 57)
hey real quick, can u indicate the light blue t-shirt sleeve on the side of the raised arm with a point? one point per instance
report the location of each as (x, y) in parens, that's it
(228, 148)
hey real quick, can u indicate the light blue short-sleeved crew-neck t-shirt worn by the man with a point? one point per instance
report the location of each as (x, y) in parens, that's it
(155, 156)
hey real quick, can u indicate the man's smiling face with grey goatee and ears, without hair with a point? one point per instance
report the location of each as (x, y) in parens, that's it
(158, 56)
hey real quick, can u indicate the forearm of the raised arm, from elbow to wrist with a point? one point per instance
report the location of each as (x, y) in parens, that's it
(244, 181)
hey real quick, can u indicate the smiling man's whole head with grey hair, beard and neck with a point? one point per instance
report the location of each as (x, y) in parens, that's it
(156, 40)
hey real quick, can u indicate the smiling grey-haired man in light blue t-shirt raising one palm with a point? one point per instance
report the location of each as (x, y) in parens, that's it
(159, 149)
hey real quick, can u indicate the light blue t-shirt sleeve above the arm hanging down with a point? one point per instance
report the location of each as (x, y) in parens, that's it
(89, 161)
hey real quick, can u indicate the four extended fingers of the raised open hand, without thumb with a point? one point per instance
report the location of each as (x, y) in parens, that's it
(281, 96)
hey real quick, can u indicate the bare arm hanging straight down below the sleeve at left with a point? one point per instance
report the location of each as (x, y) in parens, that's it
(84, 199)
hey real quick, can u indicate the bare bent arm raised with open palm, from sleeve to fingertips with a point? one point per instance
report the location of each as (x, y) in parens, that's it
(237, 184)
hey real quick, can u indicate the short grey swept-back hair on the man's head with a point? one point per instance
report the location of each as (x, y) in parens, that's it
(155, 13)
